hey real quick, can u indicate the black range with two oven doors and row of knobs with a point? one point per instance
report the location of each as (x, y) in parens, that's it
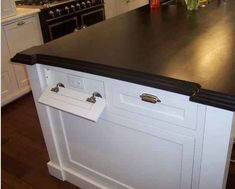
(62, 17)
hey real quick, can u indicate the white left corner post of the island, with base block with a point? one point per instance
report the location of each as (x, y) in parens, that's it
(38, 84)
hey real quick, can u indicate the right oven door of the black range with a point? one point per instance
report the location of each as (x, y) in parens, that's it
(92, 17)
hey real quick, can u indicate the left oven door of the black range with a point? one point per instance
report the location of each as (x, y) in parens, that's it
(60, 28)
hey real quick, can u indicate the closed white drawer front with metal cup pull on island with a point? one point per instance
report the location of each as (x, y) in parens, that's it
(173, 108)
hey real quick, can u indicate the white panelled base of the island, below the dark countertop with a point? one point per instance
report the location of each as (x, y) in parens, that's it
(133, 144)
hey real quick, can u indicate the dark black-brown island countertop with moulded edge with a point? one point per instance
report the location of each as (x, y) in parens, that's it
(191, 53)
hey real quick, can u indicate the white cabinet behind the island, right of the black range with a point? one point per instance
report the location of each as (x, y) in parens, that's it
(116, 7)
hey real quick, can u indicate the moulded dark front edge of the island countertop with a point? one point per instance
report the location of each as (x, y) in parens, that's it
(193, 90)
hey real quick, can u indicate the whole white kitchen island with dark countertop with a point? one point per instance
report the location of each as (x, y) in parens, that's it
(166, 77)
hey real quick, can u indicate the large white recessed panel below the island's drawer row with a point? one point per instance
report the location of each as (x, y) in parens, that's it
(105, 148)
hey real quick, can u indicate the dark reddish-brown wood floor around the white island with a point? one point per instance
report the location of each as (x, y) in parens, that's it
(24, 154)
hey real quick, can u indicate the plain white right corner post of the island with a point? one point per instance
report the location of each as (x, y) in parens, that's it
(216, 150)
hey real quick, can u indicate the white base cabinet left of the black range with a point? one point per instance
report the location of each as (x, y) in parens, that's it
(17, 35)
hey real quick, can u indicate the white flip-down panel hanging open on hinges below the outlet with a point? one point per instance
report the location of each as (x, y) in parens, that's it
(73, 102)
